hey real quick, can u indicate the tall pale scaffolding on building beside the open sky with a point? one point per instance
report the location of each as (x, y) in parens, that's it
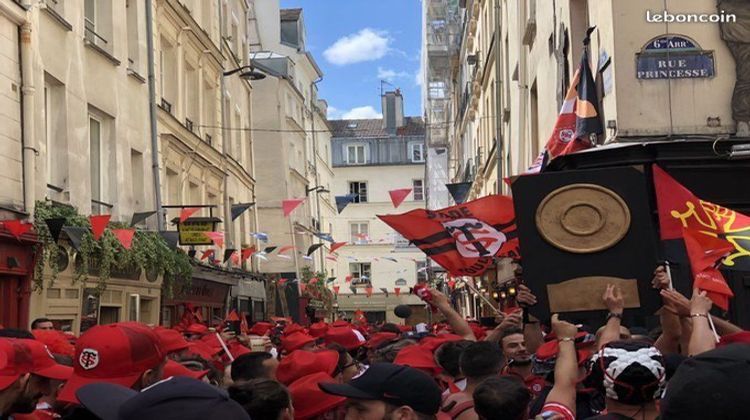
(440, 46)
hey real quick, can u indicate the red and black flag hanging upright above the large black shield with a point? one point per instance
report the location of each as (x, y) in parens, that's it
(579, 116)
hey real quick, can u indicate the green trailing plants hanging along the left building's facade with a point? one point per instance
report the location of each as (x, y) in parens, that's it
(149, 252)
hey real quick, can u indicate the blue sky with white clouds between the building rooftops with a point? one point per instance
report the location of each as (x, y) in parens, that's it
(359, 42)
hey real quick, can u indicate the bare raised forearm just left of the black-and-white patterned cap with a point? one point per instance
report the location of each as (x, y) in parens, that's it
(566, 366)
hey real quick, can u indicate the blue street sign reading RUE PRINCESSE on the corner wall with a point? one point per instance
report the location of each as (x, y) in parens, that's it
(674, 57)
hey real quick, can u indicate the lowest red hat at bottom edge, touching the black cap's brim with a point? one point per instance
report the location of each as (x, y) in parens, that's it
(309, 399)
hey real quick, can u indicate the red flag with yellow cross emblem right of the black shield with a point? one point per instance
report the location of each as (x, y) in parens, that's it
(679, 208)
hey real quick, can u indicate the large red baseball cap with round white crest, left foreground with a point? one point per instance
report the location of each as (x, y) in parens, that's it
(115, 353)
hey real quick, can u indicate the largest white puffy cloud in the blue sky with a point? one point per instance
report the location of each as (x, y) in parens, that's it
(365, 45)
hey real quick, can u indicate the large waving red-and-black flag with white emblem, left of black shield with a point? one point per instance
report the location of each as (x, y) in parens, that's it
(464, 238)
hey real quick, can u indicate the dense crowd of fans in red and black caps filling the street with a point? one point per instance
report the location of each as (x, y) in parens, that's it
(694, 366)
